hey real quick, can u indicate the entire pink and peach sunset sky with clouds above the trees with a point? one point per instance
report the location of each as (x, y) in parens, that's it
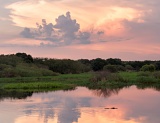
(81, 29)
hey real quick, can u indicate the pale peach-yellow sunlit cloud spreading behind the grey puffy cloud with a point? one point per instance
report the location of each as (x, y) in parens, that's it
(86, 12)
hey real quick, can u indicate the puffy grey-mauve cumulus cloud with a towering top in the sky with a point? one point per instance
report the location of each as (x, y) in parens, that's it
(65, 31)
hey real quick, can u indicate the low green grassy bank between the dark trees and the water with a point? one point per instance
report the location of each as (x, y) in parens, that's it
(90, 80)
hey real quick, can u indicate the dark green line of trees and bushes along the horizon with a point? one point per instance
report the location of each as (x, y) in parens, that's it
(22, 64)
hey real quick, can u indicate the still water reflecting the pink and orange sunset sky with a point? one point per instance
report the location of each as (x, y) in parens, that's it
(82, 105)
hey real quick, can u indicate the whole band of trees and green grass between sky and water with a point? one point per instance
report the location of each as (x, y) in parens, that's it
(23, 72)
